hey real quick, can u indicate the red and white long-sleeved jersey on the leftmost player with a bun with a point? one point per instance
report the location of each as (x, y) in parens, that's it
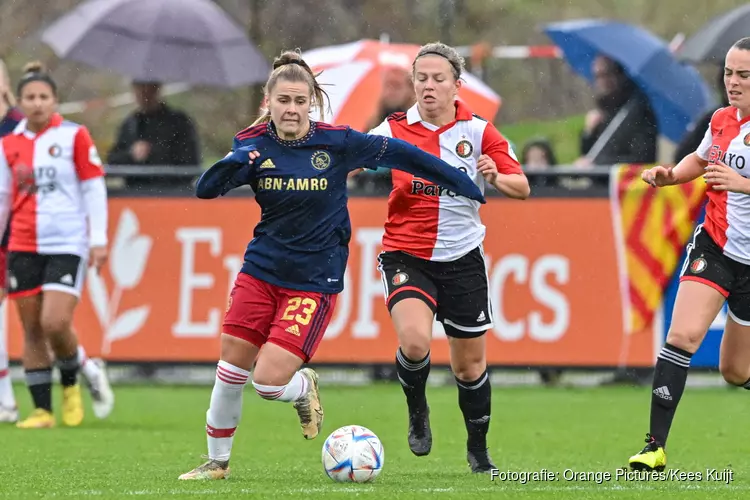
(52, 181)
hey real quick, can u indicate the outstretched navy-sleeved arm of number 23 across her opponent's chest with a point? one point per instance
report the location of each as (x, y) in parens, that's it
(396, 154)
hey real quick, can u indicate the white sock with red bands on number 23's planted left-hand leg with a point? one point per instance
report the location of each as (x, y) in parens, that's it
(224, 412)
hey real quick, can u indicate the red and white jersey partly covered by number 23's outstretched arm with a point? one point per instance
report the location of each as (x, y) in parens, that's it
(423, 219)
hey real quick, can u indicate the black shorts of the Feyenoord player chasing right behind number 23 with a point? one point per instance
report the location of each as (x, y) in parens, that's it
(457, 291)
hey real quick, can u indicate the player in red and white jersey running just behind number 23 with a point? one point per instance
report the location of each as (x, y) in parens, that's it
(433, 263)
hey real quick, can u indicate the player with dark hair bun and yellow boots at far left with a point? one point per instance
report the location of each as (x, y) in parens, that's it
(51, 182)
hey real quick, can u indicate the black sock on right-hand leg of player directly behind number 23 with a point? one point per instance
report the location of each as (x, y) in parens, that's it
(474, 399)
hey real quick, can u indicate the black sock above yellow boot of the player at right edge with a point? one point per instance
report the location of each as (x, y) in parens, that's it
(670, 375)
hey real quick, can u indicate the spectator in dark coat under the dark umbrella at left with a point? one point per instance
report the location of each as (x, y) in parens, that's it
(155, 134)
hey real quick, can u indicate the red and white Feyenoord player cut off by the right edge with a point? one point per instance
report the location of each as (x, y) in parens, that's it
(717, 265)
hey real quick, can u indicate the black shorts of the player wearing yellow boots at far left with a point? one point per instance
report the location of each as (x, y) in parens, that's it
(32, 273)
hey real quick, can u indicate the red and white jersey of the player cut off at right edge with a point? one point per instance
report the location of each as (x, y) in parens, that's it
(728, 214)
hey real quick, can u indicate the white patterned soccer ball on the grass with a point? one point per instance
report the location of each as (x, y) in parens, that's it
(353, 454)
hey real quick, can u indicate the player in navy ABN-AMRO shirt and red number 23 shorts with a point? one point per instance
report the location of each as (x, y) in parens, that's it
(284, 296)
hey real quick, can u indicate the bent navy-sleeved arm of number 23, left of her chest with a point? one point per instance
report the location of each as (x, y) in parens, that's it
(232, 171)
